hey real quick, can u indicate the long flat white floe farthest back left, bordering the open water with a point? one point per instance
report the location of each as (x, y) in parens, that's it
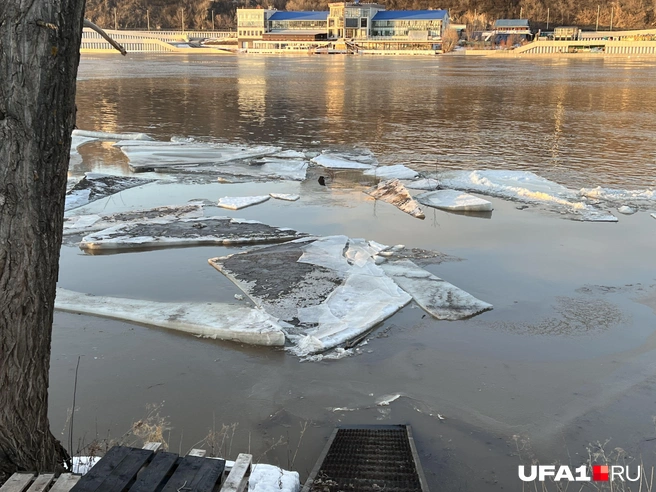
(145, 156)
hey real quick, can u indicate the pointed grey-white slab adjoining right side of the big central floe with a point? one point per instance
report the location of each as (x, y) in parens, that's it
(436, 296)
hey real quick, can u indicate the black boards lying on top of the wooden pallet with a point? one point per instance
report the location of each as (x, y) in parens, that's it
(117, 471)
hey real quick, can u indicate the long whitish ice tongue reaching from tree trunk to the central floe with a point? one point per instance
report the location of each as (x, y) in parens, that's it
(209, 320)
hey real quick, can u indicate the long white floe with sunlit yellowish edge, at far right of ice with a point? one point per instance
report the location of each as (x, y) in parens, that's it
(524, 186)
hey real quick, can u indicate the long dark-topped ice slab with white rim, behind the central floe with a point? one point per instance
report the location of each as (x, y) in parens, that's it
(187, 232)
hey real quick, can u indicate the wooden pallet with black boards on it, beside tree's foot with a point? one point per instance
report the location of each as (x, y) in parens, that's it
(143, 470)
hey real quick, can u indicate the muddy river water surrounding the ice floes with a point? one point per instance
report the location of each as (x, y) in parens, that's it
(566, 358)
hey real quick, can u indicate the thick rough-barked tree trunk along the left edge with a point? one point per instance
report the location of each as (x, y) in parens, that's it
(39, 55)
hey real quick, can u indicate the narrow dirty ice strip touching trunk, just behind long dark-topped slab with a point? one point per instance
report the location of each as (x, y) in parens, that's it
(78, 224)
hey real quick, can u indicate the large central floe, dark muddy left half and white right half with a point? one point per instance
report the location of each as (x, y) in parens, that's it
(328, 289)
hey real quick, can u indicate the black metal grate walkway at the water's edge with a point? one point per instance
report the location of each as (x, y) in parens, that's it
(368, 458)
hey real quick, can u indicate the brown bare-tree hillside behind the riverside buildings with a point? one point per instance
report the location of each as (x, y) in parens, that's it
(221, 14)
